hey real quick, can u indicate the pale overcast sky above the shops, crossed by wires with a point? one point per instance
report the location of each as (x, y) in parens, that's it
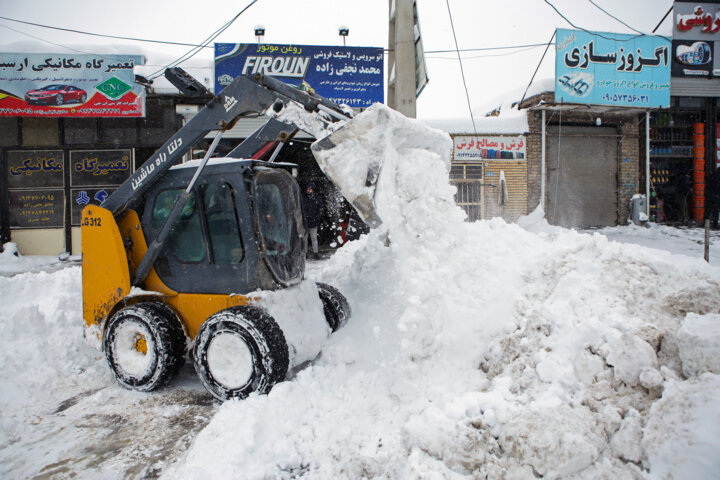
(490, 75)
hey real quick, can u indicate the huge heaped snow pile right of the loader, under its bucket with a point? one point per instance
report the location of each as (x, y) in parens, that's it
(487, 350)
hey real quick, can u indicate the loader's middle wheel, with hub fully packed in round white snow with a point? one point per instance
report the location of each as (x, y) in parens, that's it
(239, 351)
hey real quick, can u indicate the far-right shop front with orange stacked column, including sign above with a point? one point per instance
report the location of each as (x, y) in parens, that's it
(683, 138)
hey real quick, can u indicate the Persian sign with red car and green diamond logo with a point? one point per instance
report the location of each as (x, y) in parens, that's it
(52, 85)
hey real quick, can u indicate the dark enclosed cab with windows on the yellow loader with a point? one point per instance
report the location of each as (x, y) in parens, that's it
(241, 230)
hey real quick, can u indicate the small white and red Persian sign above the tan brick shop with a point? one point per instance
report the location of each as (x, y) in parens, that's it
(506, 147)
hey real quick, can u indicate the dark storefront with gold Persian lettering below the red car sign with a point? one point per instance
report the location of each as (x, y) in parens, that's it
(52, 167)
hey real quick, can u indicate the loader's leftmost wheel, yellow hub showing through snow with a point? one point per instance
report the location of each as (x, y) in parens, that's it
(166, 349)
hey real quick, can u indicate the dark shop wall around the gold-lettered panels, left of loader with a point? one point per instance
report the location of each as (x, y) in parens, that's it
(142, 136)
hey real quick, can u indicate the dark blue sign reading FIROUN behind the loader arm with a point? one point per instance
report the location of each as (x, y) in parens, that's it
(345, 75)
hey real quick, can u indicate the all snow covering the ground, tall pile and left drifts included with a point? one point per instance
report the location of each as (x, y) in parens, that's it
(475, 350)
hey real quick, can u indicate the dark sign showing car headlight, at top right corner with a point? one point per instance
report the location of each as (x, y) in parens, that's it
(696, 40)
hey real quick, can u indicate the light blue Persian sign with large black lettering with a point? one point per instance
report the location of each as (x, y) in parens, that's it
(612, 69)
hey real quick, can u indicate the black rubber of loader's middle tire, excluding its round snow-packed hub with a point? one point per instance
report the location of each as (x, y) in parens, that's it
(265, 343)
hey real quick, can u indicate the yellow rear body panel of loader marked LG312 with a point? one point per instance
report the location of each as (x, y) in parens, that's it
(106, 279)
